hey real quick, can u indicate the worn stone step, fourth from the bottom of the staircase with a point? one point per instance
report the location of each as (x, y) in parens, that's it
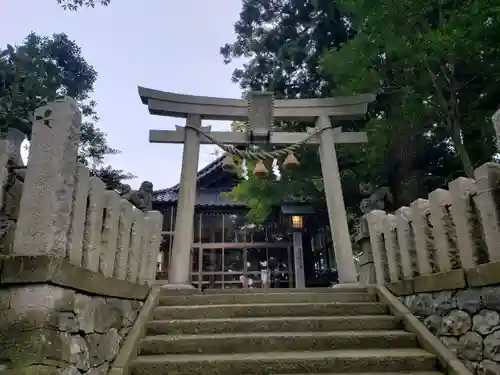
(270, 309)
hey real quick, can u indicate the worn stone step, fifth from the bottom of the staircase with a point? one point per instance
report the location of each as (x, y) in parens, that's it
(261, 298)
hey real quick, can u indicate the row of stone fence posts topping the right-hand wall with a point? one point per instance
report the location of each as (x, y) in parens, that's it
(453, 232)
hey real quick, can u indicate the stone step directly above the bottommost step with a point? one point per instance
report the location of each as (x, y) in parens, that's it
(274, 342)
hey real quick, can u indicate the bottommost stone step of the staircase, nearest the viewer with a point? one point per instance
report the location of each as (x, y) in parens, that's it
(335, 361)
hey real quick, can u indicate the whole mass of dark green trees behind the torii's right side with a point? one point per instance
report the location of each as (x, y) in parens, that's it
(433, 64)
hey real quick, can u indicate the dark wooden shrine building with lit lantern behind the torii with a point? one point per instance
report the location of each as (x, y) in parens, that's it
(228, 252)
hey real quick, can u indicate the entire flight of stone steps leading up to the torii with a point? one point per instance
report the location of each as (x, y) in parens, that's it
(322, 331)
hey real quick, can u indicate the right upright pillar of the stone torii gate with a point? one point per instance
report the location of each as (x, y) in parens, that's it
(335, 202)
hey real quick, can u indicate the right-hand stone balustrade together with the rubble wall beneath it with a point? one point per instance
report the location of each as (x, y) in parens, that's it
(441, 257)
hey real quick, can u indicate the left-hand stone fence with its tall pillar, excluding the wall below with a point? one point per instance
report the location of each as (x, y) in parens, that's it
(63, 212)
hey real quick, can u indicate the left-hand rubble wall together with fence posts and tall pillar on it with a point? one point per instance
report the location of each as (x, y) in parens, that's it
(79, 261)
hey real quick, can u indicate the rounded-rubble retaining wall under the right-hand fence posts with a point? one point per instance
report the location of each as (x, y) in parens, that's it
(467, 321)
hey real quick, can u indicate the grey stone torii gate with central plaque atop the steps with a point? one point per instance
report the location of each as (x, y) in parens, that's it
(259, 111)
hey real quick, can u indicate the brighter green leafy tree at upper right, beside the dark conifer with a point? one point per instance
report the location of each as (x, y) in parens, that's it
(436, 59)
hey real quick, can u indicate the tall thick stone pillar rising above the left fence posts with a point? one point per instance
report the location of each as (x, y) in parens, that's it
(46, 203)
